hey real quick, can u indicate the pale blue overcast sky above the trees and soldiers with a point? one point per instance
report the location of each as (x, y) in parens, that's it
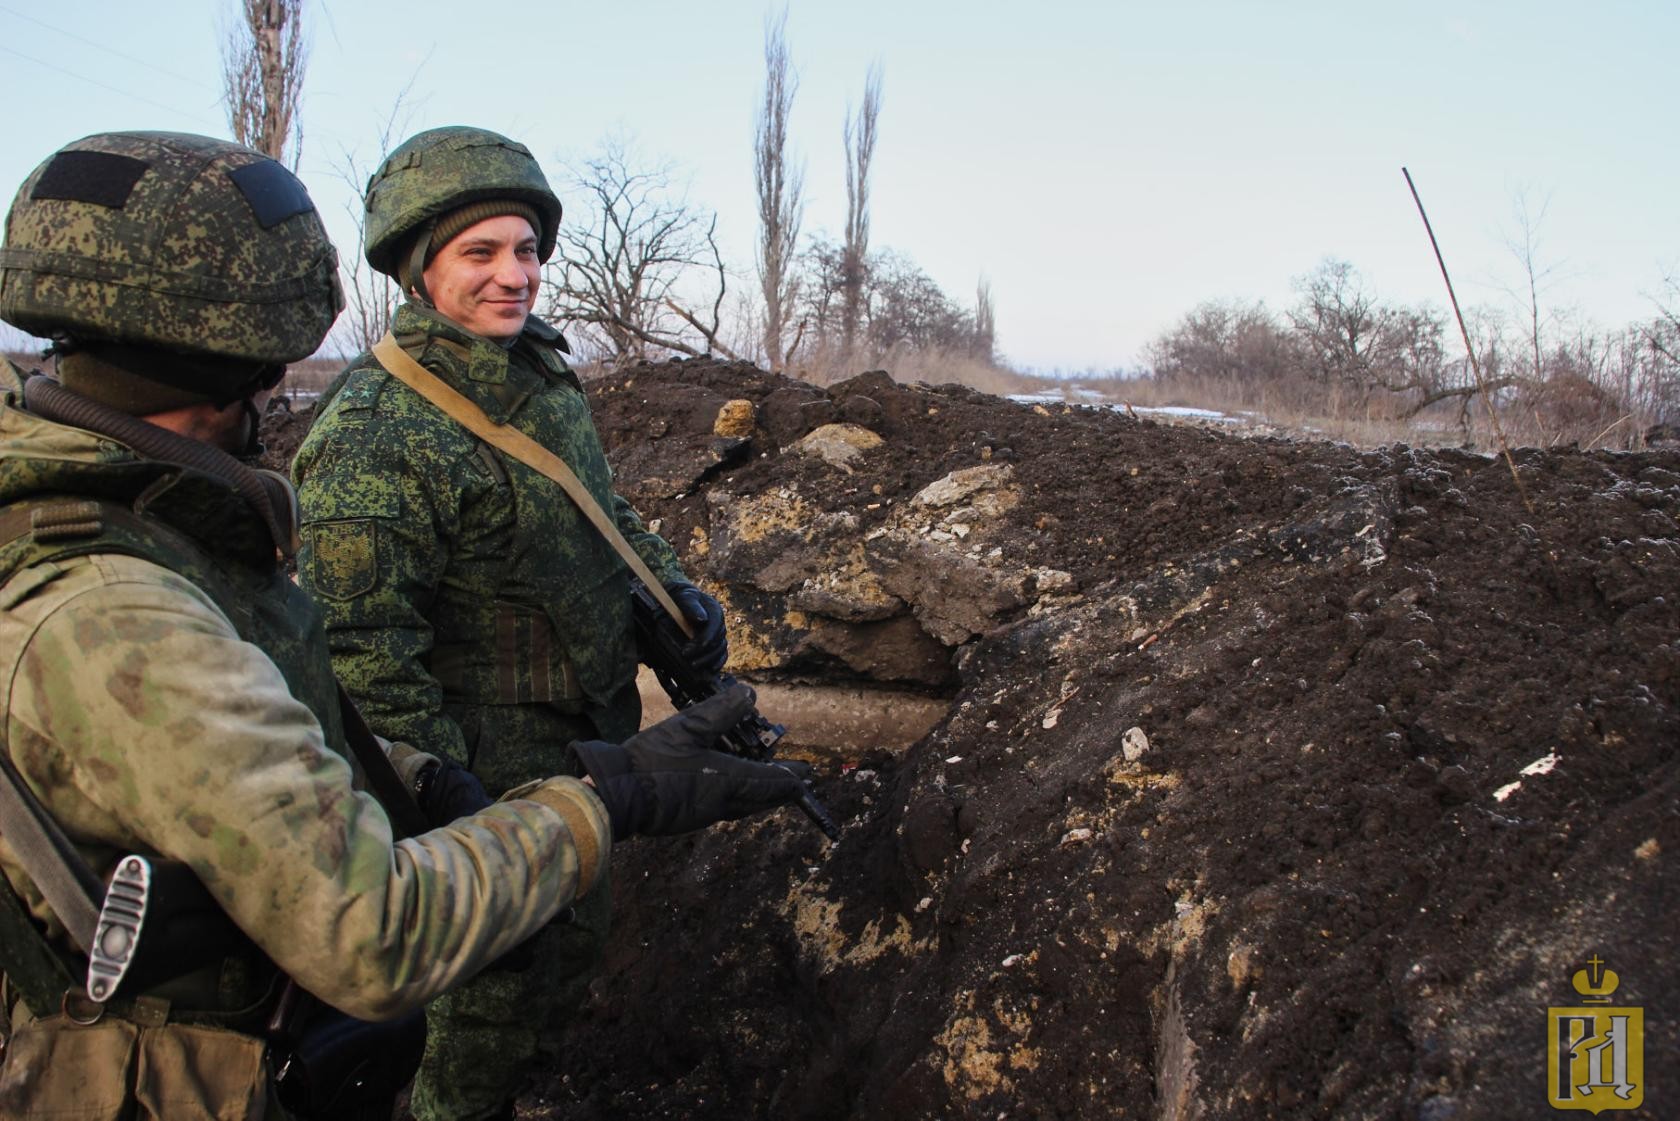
(1105, 166)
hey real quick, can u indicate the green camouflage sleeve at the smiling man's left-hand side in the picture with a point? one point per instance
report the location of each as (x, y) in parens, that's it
(377, 505)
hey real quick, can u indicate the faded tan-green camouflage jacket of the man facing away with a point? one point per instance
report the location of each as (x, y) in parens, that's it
(150, 720)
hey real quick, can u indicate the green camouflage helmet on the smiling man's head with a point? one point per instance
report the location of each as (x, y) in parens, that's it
(441, 171)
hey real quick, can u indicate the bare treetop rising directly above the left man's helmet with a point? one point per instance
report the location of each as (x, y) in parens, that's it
(263, 76)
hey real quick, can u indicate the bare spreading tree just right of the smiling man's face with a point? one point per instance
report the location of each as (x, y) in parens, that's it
(622, 270)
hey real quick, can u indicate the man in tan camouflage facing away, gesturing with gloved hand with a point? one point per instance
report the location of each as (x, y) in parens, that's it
(167, 692)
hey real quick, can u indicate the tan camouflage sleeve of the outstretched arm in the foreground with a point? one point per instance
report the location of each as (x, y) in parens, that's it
(179, 739)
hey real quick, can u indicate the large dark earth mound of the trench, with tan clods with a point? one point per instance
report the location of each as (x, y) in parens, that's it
(1269, 779)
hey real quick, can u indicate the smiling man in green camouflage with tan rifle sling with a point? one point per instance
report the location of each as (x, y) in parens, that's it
(468, 599)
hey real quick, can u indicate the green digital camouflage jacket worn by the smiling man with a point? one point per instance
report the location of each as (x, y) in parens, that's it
(468, 601)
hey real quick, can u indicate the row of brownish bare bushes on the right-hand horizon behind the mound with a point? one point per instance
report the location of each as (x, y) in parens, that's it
(1341, 350)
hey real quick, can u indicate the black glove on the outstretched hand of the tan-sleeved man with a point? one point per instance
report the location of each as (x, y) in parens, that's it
(668, 781)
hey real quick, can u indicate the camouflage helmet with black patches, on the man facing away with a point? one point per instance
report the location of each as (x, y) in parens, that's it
(171, 241)
